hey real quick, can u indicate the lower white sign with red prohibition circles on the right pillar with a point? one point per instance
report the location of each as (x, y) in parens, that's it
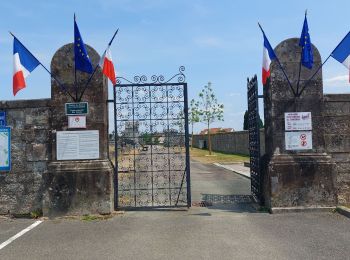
(298, 140)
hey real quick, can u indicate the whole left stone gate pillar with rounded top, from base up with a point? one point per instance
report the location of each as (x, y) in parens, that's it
(78, 186)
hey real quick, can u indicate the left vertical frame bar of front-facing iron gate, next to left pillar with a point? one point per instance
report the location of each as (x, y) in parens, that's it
(116, 199)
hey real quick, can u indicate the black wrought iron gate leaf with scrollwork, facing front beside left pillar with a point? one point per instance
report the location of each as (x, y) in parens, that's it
(151, 142)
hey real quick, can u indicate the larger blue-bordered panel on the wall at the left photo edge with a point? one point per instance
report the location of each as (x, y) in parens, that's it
(5, 149)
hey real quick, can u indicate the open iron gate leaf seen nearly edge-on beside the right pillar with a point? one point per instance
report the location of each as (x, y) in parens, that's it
(254, 138)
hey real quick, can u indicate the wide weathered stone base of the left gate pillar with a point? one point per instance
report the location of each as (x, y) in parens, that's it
(77, 187)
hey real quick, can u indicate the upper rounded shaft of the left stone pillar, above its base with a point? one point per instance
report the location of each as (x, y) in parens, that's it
(96, 95)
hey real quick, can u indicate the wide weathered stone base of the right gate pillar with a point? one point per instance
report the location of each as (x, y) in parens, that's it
(301, 180)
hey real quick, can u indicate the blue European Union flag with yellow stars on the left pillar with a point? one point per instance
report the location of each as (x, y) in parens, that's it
(81, 58)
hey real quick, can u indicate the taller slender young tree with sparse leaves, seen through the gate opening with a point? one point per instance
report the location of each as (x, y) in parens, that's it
(209, 110)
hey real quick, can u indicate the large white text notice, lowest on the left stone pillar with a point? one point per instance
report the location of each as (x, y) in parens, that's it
(78, 145)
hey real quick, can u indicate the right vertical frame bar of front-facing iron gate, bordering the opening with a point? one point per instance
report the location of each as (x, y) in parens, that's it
(187, 142)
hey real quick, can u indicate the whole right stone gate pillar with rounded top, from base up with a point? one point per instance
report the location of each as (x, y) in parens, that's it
(295, 178)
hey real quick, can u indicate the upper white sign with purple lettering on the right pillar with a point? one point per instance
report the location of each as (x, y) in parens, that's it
(297, 121)
